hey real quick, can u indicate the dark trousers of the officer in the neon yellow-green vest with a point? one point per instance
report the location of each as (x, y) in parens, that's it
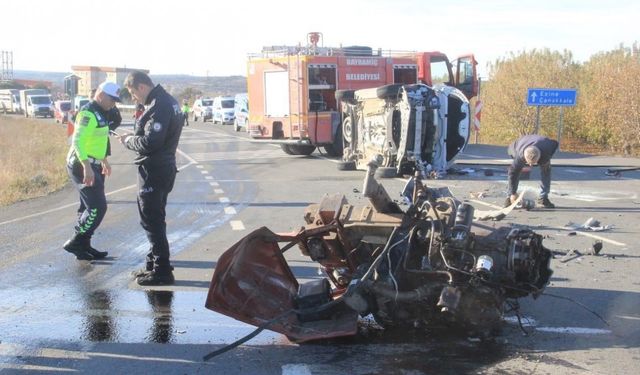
(93, 202)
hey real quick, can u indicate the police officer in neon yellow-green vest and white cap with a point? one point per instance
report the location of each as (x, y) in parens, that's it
(87, 166)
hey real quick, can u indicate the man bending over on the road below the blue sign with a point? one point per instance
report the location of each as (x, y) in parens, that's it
(531, 150)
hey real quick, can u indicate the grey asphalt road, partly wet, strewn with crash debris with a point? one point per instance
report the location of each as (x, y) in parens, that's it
(58, 314)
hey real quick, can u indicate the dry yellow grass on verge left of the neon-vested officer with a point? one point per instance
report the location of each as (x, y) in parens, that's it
(32, 156)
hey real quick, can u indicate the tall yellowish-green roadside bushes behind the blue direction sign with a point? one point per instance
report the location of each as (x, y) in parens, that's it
(607, 115)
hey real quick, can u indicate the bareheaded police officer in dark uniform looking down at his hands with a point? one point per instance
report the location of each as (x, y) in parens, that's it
(155, 140)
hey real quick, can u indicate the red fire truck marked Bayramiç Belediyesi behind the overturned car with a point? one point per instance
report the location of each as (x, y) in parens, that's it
(292, 89)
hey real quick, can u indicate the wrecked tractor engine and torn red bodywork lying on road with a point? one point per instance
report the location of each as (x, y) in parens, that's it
(426, 266)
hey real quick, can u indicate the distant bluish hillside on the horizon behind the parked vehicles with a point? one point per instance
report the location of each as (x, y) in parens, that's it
(174, 83)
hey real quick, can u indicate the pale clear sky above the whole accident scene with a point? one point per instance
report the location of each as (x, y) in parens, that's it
(200, 38)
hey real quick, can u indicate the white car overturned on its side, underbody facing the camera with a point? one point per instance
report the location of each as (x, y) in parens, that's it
(409, 127)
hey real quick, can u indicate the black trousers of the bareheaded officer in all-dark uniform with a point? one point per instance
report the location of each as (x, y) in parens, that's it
(154, 185)
